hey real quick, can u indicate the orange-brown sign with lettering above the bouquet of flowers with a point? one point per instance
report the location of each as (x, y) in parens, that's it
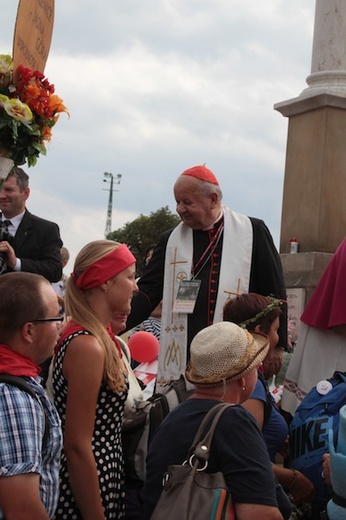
(33, 34)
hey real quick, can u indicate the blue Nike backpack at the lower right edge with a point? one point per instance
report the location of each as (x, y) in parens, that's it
(309, 431)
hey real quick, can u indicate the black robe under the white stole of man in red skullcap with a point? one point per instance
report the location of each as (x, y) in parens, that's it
(266, 278)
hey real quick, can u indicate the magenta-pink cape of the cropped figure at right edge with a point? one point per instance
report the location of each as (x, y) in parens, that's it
(327, 305)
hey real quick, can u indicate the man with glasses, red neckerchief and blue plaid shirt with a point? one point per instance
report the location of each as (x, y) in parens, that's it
(30, 432)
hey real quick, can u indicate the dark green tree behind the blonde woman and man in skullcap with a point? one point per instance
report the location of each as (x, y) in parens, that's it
(143, 232)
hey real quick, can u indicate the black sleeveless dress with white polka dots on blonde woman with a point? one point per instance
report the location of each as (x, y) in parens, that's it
(106, 444)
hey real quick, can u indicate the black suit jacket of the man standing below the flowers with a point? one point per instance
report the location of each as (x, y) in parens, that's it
(37, 243)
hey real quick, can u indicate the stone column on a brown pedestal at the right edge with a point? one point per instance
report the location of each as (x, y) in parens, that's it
(314, 207)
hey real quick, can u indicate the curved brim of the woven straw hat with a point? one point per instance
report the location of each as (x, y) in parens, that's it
(255, 354)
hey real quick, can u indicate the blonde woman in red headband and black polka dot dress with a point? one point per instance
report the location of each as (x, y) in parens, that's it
(90, 383)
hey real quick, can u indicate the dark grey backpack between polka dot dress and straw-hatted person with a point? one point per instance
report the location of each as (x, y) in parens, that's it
(139, 428)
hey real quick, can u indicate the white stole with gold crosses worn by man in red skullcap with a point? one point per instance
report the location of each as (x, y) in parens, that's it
(234, 278)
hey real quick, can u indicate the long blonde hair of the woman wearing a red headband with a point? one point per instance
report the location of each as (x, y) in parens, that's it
(78, 307)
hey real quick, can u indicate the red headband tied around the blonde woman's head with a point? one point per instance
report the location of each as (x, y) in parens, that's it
(105, 268)
